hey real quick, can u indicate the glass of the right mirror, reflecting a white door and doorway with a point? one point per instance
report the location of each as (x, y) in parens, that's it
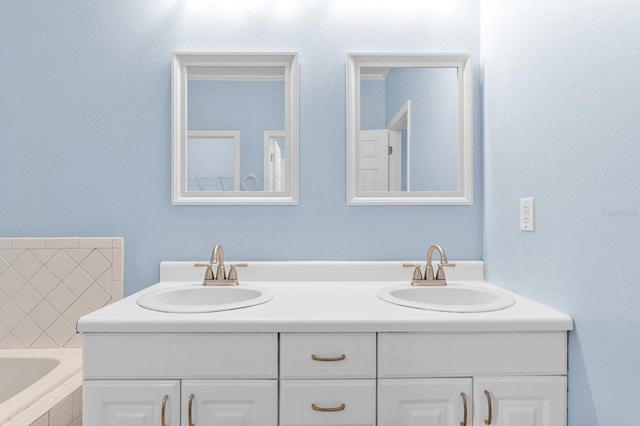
(389, 98)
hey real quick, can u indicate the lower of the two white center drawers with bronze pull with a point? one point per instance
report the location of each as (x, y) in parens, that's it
(327, 402)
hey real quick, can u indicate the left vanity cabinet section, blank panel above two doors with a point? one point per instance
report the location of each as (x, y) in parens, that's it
(233, 378)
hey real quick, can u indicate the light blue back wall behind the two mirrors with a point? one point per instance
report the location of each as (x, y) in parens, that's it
(85, 127)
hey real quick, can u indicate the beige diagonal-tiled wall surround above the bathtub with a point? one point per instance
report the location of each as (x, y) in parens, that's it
(46, 284)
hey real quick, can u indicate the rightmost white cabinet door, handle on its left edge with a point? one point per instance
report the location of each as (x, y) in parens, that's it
(522, 401)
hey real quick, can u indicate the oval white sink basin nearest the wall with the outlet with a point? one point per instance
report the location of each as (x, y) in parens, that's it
(449, 298)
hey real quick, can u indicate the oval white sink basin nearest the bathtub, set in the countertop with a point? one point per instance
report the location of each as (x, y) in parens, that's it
(198, 299)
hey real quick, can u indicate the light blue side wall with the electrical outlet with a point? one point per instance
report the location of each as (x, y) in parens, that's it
(562, 124)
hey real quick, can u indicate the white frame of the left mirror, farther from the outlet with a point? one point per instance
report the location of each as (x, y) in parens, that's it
(182, 60)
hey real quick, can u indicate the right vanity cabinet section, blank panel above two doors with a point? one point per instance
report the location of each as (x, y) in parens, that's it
(508, 378)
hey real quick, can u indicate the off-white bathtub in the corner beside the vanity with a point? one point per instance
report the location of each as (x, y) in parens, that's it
(31, 376)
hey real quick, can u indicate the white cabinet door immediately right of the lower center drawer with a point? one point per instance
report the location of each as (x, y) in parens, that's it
(424, 402)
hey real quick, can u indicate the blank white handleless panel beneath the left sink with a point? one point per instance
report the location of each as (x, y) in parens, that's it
(180, 355)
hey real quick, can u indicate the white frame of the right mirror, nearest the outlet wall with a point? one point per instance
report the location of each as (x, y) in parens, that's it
(462, 62)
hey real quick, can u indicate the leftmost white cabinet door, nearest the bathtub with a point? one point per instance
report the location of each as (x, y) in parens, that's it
(131, 402)
